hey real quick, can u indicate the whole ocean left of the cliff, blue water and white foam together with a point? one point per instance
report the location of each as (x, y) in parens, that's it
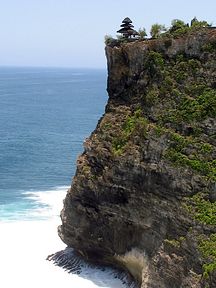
(45, 115)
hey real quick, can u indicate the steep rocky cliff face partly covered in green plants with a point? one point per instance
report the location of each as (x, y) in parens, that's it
(144, 192)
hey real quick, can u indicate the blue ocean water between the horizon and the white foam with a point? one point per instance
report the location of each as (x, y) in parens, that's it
(45, 115)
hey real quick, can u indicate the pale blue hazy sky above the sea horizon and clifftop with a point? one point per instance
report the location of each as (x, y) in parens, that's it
(70, 33)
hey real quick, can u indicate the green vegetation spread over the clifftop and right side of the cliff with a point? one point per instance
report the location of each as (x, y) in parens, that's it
(179, 95)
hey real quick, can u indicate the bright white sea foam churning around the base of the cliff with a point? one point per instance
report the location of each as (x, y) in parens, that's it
(25, 245)
